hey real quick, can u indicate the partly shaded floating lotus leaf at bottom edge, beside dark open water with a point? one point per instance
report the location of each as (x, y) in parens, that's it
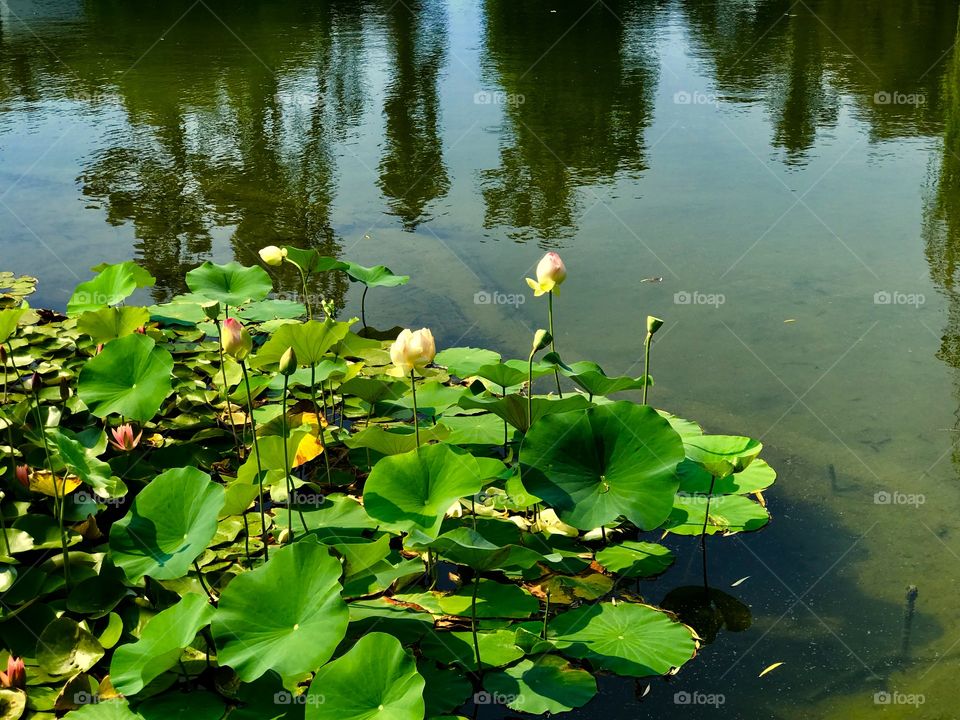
(547, 684)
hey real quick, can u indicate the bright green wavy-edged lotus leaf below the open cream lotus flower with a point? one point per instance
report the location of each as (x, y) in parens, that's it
(413, 490)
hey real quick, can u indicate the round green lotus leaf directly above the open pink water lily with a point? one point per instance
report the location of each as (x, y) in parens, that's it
(131, 377)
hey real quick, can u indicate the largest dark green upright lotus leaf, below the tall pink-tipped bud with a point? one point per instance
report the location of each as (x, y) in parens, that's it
(596, 465)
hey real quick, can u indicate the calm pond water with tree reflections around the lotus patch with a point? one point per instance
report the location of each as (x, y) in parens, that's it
(790, 169)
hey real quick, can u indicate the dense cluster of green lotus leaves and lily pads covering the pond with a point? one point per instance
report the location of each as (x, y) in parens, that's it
(495, 554)
